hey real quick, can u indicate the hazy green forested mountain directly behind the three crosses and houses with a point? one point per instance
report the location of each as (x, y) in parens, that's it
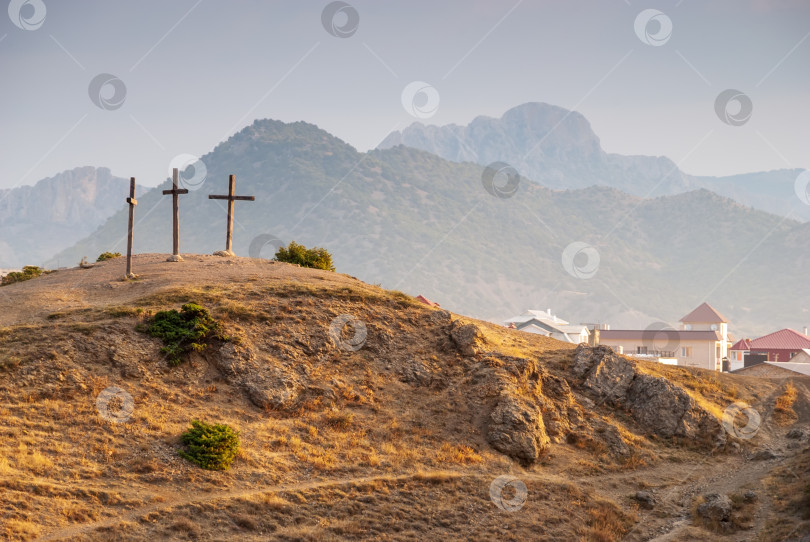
(412, 221)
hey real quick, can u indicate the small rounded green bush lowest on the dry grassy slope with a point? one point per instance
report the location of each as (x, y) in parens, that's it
(211, 446)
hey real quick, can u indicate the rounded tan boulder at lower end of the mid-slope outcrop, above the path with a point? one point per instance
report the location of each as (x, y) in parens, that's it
(517, 429)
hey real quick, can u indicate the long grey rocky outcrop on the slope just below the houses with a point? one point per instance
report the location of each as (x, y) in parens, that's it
(656, 404)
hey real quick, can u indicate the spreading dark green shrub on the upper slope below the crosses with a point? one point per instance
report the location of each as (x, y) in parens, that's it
(184, 331)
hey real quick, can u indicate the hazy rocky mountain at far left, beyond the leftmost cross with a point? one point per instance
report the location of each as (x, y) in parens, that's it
(38, 221)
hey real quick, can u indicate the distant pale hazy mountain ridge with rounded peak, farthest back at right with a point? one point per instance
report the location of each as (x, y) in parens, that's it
(558, 148)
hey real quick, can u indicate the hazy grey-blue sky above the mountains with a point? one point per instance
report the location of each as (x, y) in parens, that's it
(191, 73)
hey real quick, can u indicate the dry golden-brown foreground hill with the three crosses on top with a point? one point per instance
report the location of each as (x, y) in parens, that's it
(399, 436)
